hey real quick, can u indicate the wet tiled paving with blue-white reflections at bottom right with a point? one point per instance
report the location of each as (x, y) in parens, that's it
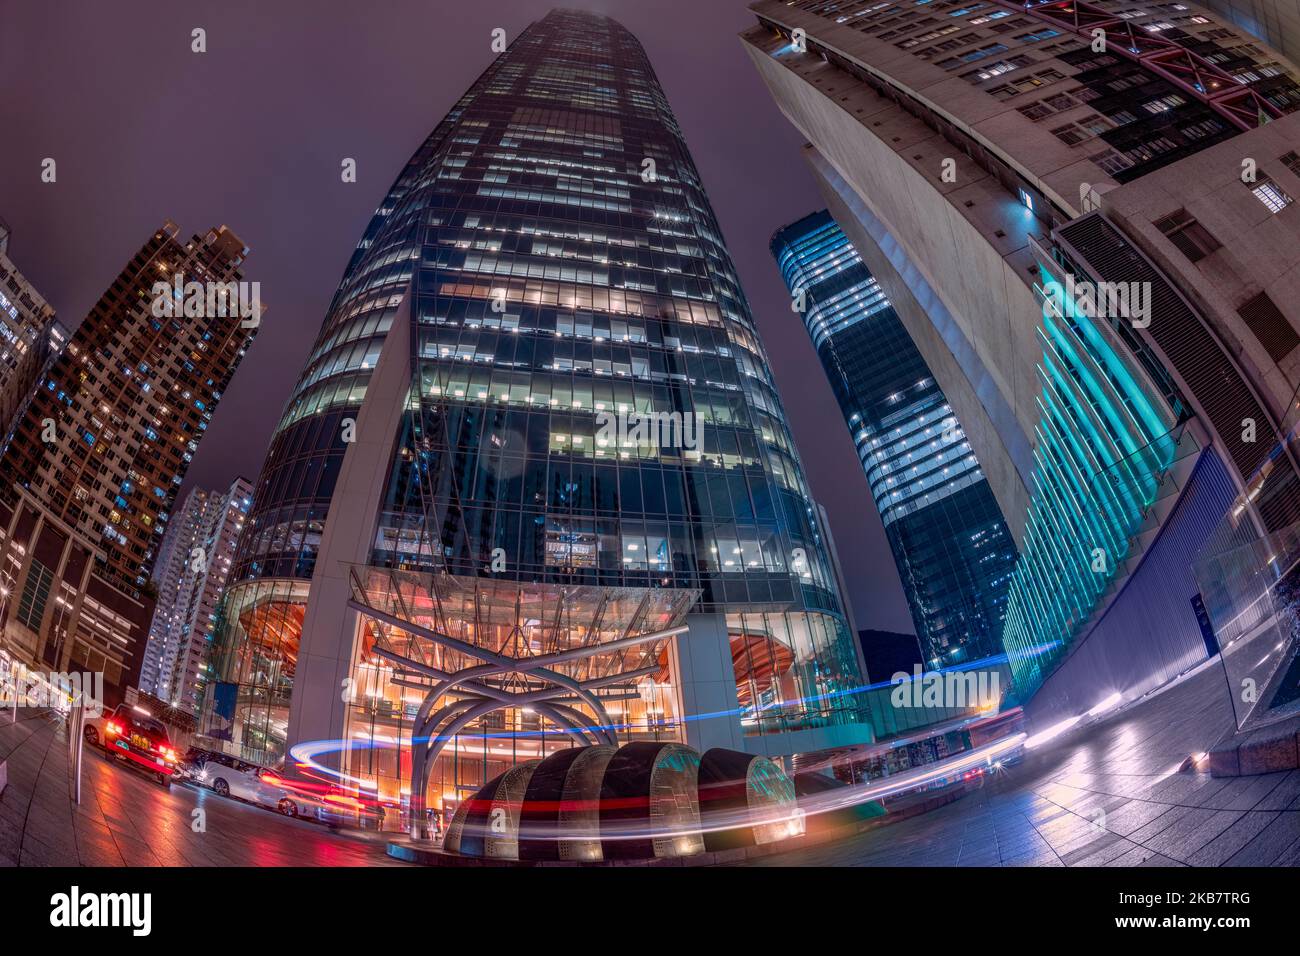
(1108, 795)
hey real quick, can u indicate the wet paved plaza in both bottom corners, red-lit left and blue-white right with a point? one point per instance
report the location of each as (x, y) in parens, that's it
(1111, 794)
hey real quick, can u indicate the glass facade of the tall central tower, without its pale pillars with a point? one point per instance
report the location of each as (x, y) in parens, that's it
(570, 285)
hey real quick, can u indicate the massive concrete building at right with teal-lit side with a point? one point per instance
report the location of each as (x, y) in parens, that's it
(1084, 215)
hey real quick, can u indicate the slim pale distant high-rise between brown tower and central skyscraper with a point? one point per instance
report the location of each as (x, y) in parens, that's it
(194, 565)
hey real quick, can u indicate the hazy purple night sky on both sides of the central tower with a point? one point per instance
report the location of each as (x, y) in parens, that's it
(252, 135)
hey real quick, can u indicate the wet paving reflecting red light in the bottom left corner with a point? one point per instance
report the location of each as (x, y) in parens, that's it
(127, 819)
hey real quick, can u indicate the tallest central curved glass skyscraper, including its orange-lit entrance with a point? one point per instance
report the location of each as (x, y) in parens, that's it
(535, 443)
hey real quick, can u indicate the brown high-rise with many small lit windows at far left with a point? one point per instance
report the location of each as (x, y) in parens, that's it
(93, 468)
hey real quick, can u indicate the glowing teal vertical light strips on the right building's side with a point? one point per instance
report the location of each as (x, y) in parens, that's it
(1104, 444)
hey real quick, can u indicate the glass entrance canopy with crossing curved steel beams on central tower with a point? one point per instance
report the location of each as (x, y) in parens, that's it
(474, 647)
